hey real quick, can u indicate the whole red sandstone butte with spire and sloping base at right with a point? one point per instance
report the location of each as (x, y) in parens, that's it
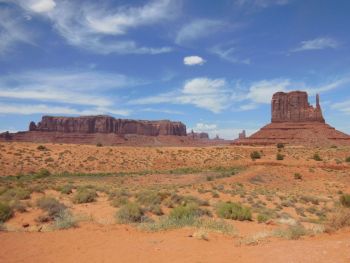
(295, 121)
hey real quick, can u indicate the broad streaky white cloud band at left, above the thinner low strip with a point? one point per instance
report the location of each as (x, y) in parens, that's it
(87, 88)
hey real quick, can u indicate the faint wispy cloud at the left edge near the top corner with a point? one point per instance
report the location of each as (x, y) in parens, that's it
(12, 31)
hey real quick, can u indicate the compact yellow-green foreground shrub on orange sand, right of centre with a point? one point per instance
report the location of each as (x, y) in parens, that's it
(233, 211)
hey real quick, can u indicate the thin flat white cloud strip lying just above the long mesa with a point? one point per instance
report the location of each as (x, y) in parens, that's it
(28, 109)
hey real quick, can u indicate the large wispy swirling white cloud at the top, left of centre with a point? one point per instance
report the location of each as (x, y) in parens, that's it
(97, 28)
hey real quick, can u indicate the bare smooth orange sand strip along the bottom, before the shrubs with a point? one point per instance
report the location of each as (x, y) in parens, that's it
(92, 243)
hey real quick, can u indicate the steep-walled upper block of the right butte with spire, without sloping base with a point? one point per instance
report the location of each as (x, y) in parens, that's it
(294, 107)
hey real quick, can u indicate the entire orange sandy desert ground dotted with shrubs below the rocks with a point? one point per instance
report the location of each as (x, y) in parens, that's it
(79, 203)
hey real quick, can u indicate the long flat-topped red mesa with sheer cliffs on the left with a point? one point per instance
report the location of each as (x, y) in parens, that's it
(108, 124)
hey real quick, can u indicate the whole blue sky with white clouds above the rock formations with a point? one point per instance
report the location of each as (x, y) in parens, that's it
(213, 65)
